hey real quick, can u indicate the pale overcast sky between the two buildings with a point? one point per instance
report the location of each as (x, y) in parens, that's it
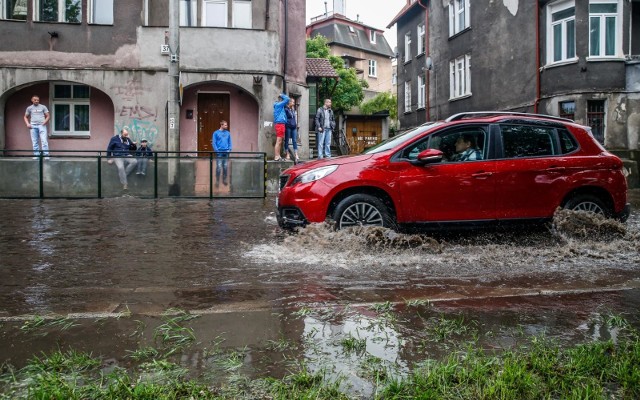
(375, 13)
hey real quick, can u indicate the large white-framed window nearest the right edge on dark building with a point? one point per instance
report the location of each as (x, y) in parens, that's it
(604, 28)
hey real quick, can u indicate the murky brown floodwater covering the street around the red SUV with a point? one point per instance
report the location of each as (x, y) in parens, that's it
(107, 273)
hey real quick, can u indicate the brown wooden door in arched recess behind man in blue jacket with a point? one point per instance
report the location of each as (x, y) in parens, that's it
(212, 108)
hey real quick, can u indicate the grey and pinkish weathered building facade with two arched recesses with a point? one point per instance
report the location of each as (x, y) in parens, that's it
(100, 65)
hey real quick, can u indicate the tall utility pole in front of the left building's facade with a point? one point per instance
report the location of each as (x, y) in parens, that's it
(173, 109)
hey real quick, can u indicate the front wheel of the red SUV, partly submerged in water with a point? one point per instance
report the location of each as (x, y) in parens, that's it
(362, 210)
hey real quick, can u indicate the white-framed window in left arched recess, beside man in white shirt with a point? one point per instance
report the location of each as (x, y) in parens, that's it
(70, 110)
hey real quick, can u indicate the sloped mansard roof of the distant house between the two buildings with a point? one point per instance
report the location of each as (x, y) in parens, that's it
(352, 34)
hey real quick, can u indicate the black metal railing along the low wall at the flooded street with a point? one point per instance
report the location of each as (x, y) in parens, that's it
(88, 174)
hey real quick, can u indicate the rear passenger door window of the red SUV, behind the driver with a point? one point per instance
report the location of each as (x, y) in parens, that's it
(528, 141)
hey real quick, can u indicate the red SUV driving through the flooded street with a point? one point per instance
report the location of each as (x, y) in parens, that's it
(472, 168)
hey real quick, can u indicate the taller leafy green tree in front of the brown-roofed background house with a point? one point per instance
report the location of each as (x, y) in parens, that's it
(348, 92)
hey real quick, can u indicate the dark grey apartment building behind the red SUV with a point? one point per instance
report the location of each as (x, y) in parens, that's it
(573, 58)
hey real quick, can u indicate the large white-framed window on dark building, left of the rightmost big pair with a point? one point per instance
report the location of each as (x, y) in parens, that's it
(561, 32)
